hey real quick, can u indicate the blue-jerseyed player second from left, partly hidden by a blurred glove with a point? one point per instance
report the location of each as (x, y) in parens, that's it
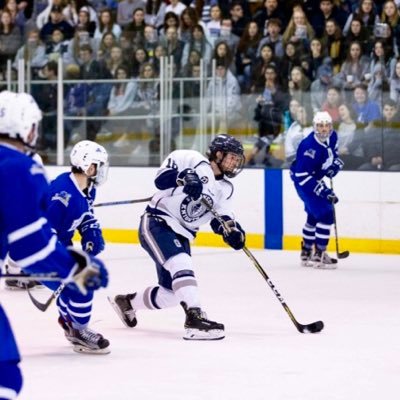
(69, 208)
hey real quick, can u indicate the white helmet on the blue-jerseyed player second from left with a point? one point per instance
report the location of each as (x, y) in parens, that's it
(85, 153)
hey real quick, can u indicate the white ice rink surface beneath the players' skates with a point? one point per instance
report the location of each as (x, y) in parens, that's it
(356, 356)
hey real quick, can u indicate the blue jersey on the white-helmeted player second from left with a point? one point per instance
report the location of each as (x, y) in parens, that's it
(68, 207)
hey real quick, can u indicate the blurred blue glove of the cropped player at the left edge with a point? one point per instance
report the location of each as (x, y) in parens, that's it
(89, 272)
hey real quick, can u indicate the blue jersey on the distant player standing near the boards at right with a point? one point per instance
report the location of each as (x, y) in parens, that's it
(313, 158)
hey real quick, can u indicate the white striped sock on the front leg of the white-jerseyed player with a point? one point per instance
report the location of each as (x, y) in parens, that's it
(184, 283)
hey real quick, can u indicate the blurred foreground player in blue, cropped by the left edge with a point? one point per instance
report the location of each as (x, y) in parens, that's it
(25, 232)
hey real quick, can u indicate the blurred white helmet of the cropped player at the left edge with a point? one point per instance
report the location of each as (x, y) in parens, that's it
(19, 113)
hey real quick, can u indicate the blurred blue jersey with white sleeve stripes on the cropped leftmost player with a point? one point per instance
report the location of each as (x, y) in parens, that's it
(25, 232)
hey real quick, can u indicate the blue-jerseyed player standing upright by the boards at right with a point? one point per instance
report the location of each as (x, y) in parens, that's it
(317, 158)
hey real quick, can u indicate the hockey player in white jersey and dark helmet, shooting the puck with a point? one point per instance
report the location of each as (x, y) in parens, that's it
(171, 221)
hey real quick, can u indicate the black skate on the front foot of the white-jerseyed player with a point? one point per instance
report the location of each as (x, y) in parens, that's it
(198, 327)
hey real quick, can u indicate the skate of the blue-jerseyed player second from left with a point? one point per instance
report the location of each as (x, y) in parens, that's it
(85, 340)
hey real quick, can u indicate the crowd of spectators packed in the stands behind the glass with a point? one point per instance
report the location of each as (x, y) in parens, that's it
(276, 61)
